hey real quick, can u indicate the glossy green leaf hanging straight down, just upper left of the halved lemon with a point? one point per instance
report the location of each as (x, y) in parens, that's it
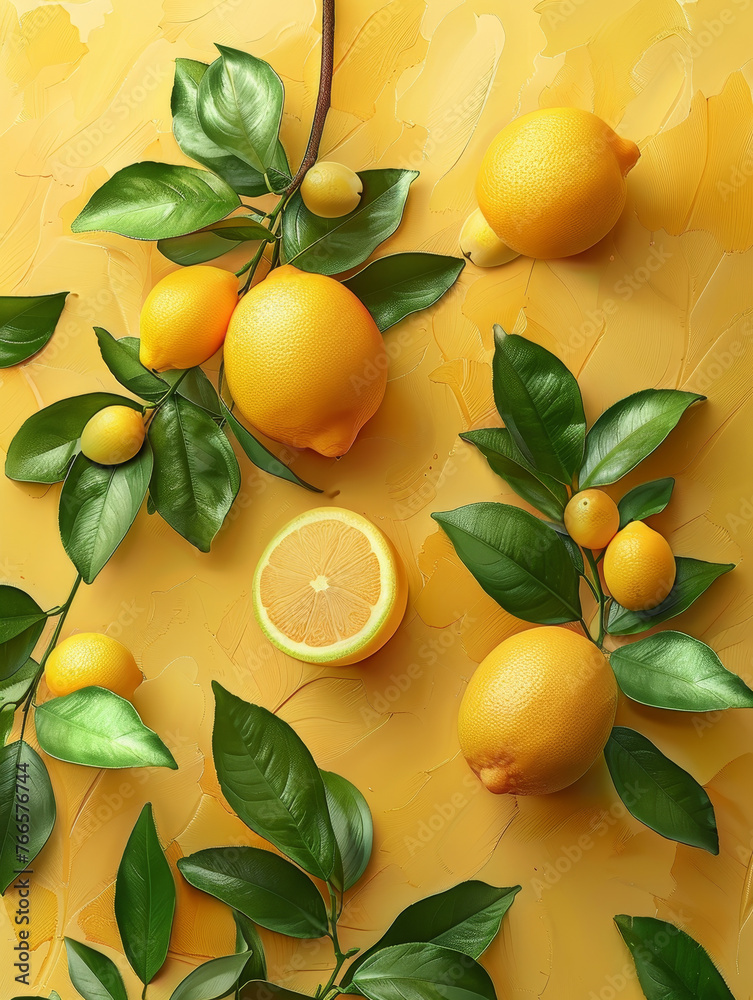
(196, 475)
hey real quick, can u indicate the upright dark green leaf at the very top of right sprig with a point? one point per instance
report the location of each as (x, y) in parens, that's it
(539, 400)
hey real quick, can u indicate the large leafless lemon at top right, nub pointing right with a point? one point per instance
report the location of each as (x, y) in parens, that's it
(552, 183)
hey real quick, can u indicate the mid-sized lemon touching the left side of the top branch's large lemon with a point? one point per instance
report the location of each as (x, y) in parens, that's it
(185, 316)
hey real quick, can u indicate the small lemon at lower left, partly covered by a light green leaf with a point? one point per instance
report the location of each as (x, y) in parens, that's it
(91, 659)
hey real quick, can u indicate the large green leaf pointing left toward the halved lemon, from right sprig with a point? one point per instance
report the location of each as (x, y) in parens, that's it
(519, 561)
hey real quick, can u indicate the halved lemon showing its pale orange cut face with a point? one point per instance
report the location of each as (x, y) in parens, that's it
(330, 587)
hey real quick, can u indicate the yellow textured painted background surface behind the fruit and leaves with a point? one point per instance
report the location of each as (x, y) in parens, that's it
(664, 301)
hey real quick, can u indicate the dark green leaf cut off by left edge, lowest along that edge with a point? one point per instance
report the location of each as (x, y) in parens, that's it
(26, 799)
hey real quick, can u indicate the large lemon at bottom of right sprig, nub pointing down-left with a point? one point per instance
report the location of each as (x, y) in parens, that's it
(537, 712)
